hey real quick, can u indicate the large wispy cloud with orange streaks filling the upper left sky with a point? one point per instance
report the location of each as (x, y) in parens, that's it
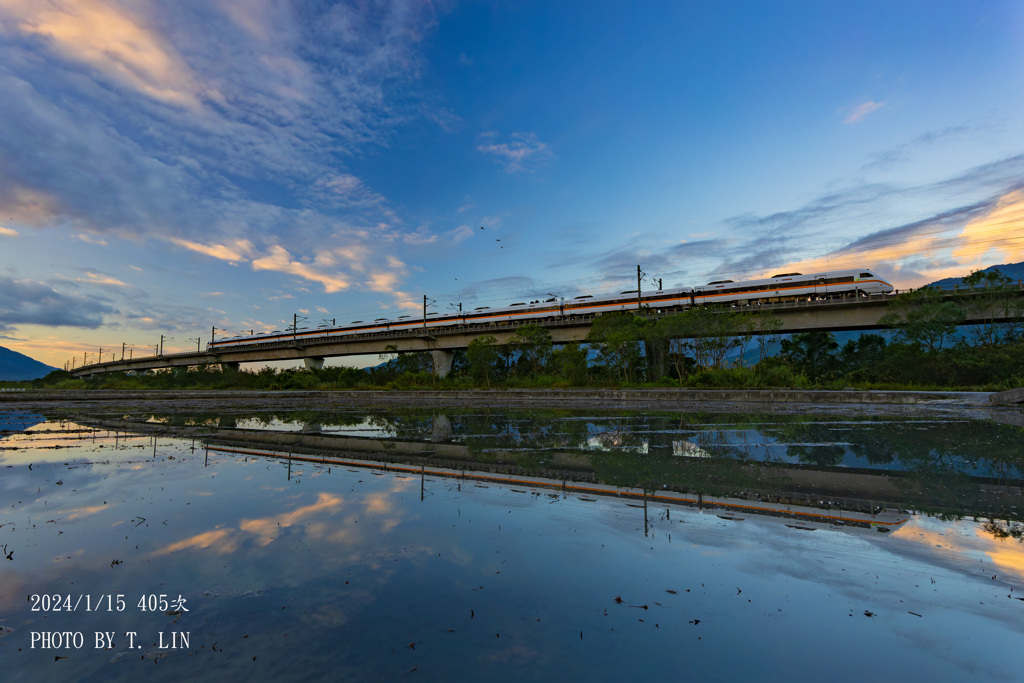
(220, 130)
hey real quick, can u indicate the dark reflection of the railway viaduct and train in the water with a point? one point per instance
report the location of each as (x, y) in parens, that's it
(780, 485)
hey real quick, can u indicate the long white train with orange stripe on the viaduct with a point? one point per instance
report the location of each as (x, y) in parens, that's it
(787, 287)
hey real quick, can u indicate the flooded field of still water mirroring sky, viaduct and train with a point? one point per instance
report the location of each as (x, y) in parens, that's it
(497, 545)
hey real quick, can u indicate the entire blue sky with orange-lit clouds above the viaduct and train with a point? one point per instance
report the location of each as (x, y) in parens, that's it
(215, 167)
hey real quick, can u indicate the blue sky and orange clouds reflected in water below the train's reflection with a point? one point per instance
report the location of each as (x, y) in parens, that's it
(314, 569)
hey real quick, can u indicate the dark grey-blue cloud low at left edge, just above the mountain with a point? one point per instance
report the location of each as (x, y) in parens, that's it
(28, 303)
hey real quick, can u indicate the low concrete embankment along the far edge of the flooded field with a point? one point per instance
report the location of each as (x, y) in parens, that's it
(613, 399)
